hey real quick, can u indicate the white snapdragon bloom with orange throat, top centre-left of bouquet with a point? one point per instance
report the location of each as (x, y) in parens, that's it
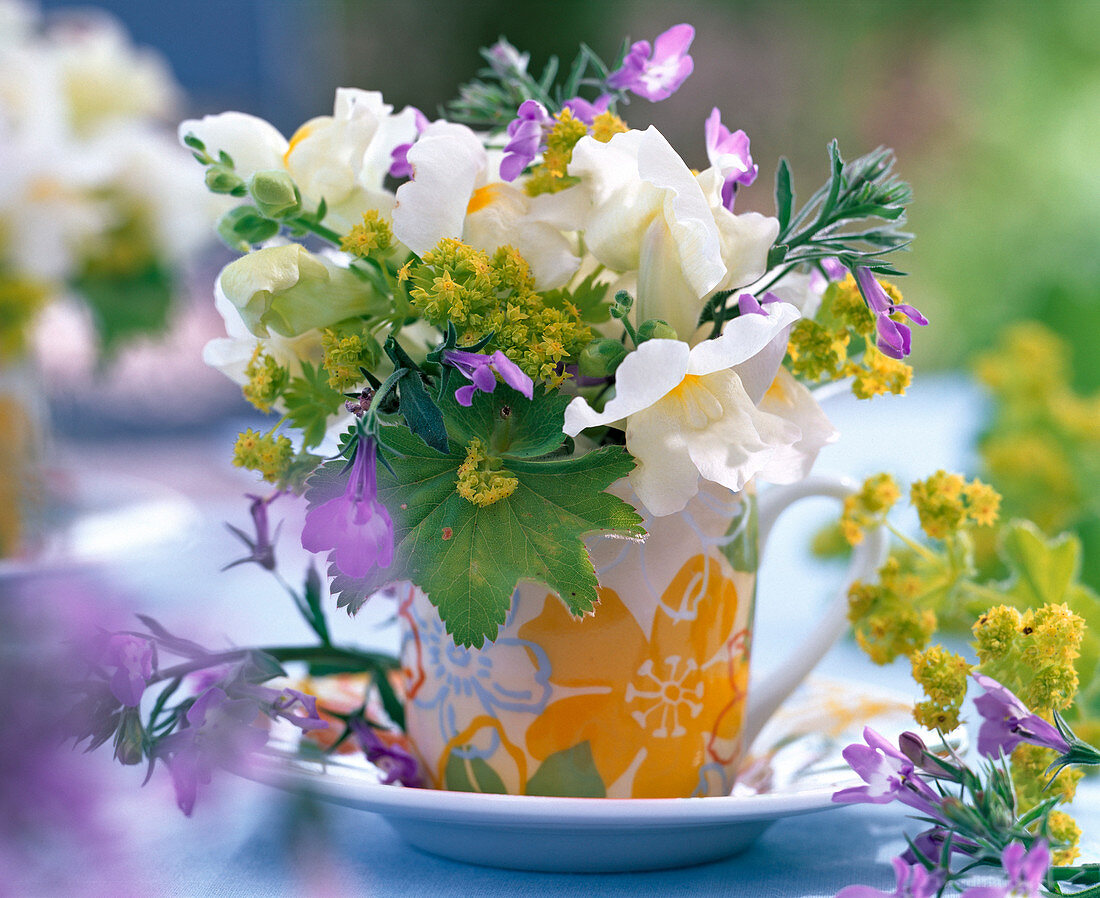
(456, 193)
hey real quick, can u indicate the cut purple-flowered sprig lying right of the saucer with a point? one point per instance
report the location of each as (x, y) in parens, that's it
(975, 818)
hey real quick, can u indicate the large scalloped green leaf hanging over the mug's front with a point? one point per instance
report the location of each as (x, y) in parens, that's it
(469, 558)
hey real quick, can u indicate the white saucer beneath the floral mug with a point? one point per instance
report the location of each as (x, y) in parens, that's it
(796, 769)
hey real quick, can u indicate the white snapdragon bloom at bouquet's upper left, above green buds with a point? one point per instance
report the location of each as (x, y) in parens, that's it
(343, 158)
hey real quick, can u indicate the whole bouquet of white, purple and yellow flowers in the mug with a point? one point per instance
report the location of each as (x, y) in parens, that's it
(549, 302)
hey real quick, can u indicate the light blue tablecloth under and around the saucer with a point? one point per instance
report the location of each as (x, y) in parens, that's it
(248, 840)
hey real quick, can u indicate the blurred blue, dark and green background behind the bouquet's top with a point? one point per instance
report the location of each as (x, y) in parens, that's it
(994, 107)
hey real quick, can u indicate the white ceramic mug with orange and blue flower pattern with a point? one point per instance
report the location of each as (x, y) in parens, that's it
(646, 698)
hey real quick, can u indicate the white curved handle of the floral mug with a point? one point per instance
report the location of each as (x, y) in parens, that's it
(765, 698)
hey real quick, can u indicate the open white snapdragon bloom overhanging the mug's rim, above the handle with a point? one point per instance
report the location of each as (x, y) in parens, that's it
(692, 412)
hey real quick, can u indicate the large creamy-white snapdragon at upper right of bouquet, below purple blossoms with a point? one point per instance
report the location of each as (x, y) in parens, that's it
(648, 213)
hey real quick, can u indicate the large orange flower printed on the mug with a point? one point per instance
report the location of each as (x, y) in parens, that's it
(648, 705)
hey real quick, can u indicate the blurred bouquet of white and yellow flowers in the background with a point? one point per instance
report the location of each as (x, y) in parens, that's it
(97, 204)
